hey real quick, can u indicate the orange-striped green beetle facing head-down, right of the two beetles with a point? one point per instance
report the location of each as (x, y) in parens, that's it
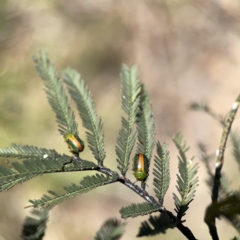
(140, 167)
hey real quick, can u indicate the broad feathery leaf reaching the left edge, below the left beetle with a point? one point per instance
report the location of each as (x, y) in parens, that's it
(28, 169)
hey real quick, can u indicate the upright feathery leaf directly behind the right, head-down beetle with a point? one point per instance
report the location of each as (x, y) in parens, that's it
(145, 126)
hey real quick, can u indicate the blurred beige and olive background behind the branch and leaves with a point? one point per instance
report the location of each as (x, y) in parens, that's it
(185, 51)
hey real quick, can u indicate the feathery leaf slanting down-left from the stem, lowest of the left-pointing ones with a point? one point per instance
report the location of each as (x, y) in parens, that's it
(87, 184)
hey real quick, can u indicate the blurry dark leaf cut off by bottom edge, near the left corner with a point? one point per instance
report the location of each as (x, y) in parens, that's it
(34, 227)
